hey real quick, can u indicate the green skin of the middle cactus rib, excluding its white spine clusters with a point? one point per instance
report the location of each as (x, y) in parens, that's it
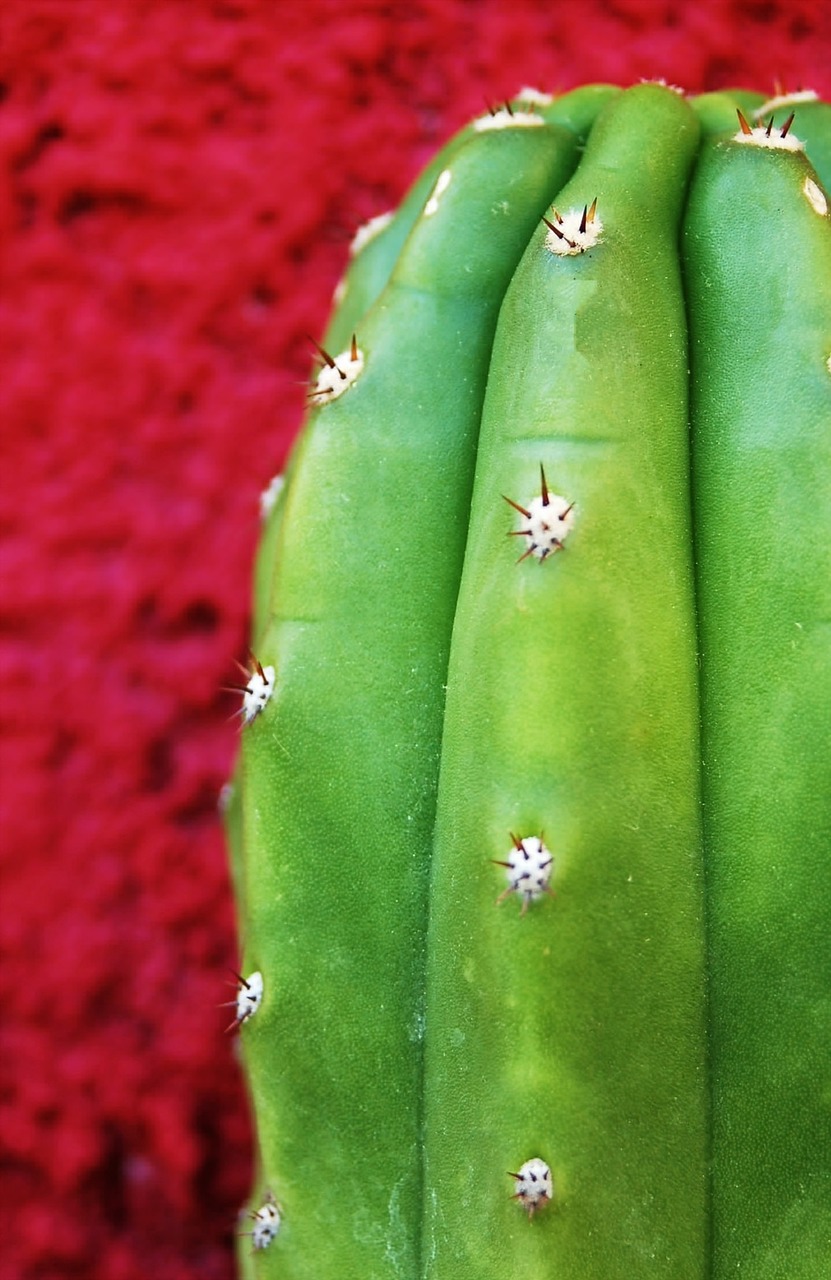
(564, 678)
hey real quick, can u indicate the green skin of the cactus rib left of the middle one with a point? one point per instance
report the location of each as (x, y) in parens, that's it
(360, 633)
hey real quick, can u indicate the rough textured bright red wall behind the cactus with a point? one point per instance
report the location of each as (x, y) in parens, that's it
(181, 180)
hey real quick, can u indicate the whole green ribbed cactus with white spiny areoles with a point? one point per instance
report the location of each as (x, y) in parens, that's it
(532, 824)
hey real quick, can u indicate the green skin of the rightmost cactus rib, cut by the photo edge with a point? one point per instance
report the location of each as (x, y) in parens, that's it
(762, 486)
